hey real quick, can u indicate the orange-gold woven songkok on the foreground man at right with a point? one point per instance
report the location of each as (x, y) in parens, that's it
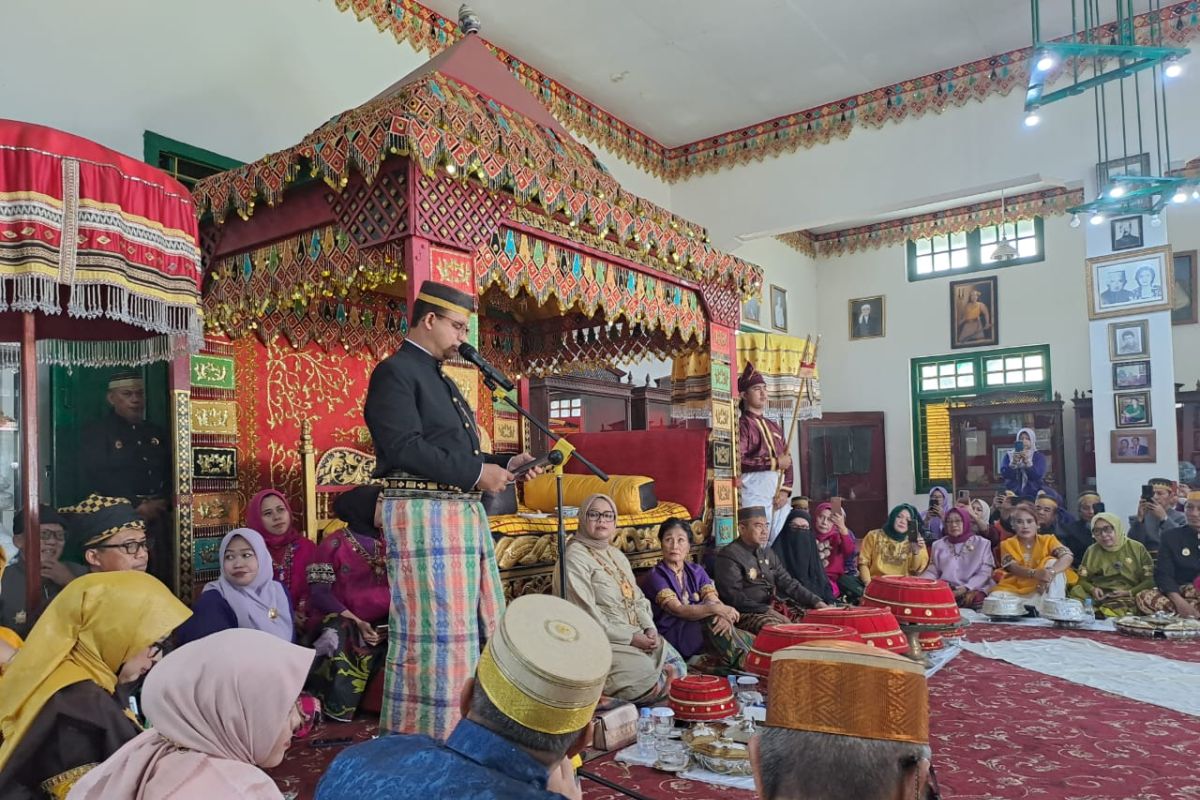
(811, 683)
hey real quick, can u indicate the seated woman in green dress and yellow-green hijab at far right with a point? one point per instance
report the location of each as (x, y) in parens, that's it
(1115, 569)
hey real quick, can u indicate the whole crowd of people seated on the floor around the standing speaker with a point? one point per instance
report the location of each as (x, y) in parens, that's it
(109, 647)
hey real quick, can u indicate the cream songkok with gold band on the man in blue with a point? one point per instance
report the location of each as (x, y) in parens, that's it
(545, 666)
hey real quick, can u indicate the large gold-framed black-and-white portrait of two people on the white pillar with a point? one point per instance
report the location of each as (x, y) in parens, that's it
(1127, 284)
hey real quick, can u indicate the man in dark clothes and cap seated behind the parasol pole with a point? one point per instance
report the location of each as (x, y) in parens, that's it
(56, 573)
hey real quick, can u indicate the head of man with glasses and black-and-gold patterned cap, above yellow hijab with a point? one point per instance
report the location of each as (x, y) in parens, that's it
(113, 536)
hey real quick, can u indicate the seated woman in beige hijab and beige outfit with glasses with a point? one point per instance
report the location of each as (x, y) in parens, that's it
(601, 581)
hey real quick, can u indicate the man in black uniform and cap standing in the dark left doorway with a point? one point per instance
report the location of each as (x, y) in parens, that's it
(127, 456)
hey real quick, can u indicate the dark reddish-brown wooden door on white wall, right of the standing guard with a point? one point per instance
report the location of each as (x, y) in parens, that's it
(844, 455)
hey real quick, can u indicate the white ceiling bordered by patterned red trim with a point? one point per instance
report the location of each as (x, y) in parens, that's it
(685, 70)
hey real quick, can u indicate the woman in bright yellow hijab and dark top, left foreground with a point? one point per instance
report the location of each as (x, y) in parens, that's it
(63, 700)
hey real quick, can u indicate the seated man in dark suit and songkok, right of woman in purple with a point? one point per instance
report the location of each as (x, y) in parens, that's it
(752, 579)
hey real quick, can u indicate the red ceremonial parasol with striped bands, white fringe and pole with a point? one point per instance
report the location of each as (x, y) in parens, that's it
(99, 267)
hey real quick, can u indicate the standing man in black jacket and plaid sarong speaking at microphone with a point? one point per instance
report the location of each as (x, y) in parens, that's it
(428, 447)
